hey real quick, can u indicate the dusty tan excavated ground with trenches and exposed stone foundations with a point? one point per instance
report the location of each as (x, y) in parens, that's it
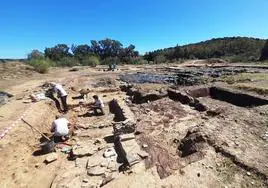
(190, 125)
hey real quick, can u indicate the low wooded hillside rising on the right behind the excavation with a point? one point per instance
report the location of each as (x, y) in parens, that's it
(234, 49)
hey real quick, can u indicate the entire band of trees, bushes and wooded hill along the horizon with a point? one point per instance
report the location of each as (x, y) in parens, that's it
(107, 51)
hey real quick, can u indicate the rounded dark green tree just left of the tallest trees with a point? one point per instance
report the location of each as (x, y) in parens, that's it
(57, 52)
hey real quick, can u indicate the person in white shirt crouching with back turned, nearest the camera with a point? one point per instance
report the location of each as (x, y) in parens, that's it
(60, 127)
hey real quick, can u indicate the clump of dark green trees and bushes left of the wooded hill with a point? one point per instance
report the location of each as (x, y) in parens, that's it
(105, 51)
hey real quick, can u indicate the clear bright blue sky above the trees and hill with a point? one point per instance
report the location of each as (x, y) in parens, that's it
(148, 24)
